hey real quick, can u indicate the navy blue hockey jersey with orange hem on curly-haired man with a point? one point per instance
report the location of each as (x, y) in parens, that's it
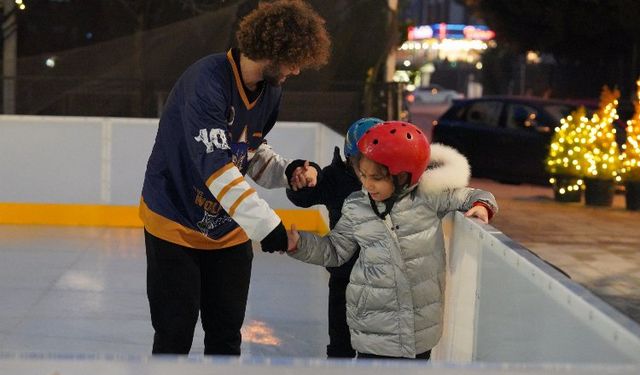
(194, 192)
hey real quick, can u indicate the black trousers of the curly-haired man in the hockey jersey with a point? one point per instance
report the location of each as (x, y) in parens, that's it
(182, 281)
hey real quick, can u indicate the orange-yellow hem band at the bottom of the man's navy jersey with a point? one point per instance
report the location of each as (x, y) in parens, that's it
(171, 231)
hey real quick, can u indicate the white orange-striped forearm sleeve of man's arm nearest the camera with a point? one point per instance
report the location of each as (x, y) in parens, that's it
(242, 202)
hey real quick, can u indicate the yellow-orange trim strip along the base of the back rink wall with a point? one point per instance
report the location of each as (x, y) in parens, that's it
(124, 216)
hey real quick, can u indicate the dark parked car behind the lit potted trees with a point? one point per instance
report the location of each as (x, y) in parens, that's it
(505, 138)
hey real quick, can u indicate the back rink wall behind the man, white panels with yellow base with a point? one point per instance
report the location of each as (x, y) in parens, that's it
(89, 170)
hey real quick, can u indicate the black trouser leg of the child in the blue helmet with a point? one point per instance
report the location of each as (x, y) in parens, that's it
(339, 336)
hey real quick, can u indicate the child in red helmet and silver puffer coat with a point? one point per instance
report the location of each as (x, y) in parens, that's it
(395, 293)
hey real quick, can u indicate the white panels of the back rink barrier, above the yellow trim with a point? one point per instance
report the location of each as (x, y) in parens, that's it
(102, 160)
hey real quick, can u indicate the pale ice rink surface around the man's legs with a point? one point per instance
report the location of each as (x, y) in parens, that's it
(83, 290)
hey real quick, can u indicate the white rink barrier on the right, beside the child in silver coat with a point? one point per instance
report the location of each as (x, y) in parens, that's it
(506, 305)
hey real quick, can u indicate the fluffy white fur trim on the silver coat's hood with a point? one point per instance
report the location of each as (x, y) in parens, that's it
(447, 169)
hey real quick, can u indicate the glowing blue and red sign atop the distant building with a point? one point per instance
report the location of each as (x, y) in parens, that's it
(450, 31)
